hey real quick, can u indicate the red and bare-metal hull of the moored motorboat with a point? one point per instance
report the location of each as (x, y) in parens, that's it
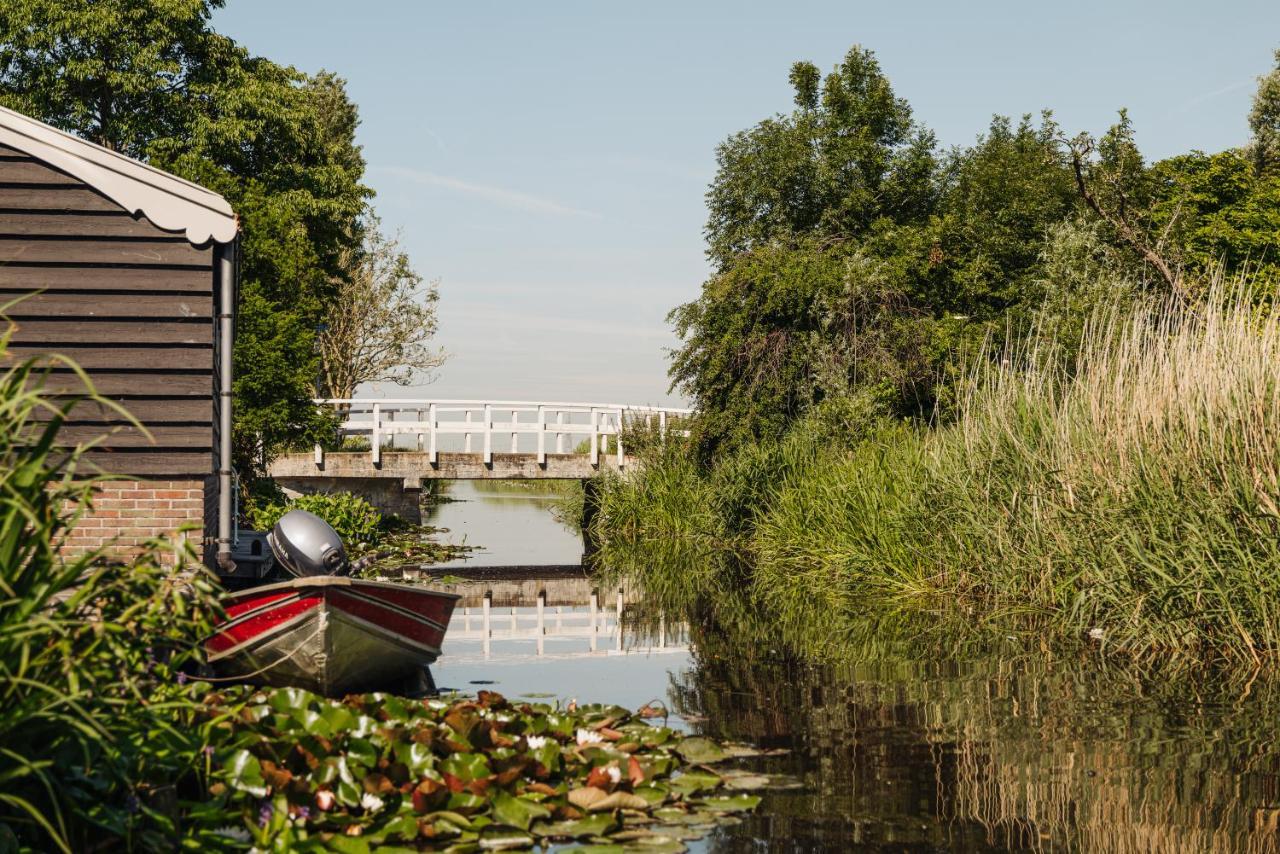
(331, 636)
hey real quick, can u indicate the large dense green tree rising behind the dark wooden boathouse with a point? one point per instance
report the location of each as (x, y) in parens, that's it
(152, 79)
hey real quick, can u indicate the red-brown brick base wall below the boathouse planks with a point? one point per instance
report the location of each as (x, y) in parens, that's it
(134, 512)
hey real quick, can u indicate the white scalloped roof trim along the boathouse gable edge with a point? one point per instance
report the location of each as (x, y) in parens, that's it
(166, 200)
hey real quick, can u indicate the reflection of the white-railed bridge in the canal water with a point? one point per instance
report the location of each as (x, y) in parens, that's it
(563, 618)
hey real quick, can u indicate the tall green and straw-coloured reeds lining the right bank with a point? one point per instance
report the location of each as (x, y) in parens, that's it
(1131, 505)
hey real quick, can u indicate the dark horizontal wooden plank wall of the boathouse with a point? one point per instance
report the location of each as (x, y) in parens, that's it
(131, 304)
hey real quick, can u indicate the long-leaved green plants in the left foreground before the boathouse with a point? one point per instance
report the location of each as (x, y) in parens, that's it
(94, 730)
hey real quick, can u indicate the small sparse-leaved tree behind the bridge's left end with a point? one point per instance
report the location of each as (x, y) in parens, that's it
(381, 323)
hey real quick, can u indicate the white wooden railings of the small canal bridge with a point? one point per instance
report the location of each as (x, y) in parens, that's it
(492, 423)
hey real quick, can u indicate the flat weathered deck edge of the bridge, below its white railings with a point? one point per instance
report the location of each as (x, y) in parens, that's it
(415, 467)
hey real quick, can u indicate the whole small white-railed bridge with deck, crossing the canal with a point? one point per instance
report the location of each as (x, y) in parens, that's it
(451, 440)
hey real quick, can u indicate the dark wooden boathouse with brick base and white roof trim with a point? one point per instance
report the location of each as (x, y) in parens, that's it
(131, 273)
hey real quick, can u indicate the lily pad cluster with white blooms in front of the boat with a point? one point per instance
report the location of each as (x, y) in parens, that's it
(296, 771)
